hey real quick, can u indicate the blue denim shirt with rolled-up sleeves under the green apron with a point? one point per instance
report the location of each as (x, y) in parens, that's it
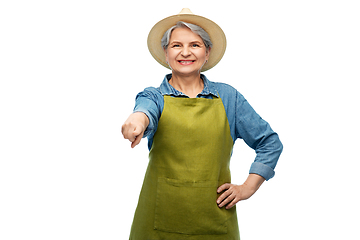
(244, 122)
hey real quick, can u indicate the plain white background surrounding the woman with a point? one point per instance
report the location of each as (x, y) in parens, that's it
(70, 71)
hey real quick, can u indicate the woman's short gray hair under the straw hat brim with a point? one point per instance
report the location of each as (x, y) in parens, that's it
(194, 28)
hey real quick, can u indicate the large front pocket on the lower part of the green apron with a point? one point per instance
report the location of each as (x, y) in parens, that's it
(189, 207)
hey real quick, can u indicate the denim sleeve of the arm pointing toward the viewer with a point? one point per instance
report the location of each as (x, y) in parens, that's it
(149, 102)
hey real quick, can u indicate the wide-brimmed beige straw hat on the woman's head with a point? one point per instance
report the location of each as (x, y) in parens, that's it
(216, 34)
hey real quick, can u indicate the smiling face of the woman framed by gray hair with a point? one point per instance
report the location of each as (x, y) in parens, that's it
(186, 52)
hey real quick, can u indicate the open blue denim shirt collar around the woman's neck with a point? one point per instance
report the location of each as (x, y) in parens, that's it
(167, 89)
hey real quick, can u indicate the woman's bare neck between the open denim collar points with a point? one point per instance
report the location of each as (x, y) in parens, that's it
(190, 85)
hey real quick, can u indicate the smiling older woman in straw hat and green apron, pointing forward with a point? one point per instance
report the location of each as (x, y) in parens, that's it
(191, 124)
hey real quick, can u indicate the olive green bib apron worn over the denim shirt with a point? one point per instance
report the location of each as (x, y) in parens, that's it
(189, 160)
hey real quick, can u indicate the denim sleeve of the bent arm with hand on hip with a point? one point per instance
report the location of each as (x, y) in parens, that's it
(258, 135)
